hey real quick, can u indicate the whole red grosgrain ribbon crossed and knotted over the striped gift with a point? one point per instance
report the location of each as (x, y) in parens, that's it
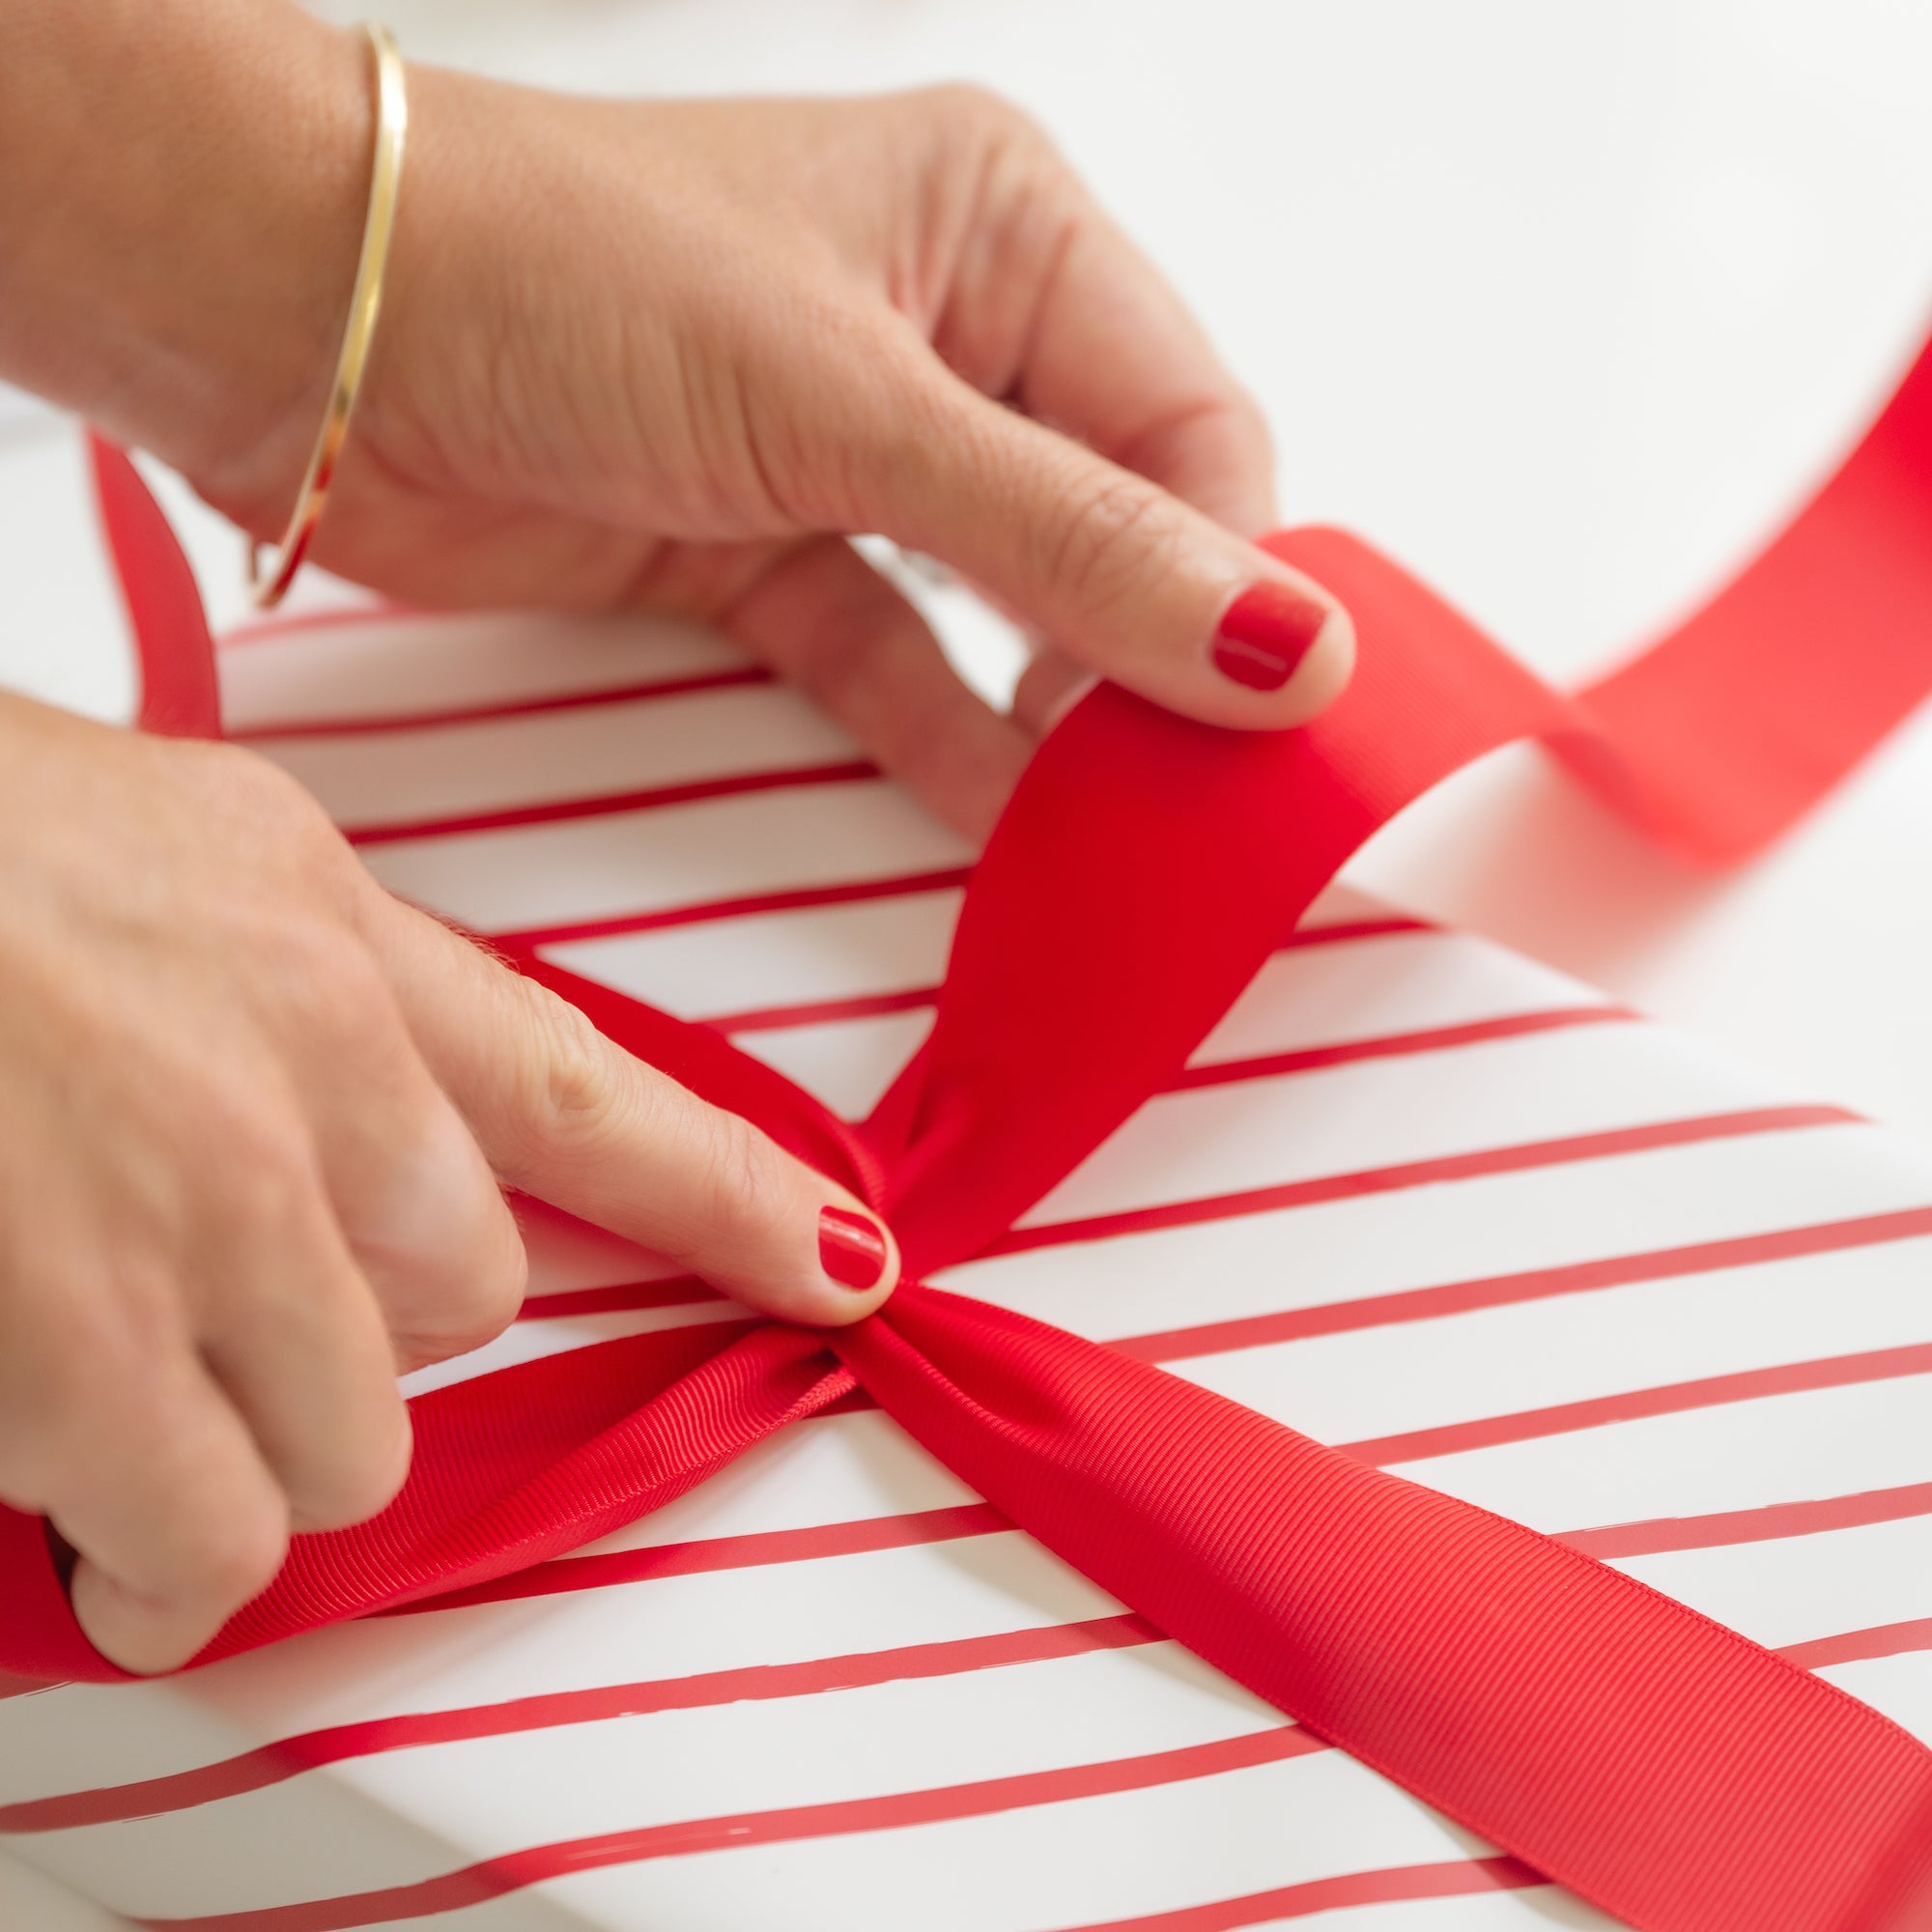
(1653, 1761)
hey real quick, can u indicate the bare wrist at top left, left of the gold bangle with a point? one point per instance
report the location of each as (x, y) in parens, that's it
(183, 190)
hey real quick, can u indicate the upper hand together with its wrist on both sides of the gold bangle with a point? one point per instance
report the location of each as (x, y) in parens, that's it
(662, 355)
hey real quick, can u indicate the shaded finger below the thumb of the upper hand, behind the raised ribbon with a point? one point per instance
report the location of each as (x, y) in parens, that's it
(826, 621)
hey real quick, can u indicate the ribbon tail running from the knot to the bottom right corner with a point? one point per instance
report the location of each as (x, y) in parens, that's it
(1659, 1765)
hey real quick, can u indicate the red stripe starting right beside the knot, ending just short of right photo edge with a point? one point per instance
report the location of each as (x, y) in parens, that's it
(1425, 1174)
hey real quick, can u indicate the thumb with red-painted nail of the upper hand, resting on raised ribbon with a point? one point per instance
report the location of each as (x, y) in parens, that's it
(1120, 575)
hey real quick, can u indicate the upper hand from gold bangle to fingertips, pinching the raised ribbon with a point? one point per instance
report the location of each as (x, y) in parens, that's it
(669, 353)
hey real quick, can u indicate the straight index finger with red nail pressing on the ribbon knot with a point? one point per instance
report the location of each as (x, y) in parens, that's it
(571, 1118)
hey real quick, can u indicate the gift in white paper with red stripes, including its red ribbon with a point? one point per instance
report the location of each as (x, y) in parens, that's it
(1489, 1236)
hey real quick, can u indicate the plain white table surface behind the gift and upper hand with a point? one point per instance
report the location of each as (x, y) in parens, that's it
(1562, 306)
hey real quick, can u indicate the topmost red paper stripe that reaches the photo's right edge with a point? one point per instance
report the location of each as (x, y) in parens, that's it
(1531, 1286)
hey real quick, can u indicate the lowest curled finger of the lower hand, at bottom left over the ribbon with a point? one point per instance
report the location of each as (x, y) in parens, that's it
(169, 1504)
